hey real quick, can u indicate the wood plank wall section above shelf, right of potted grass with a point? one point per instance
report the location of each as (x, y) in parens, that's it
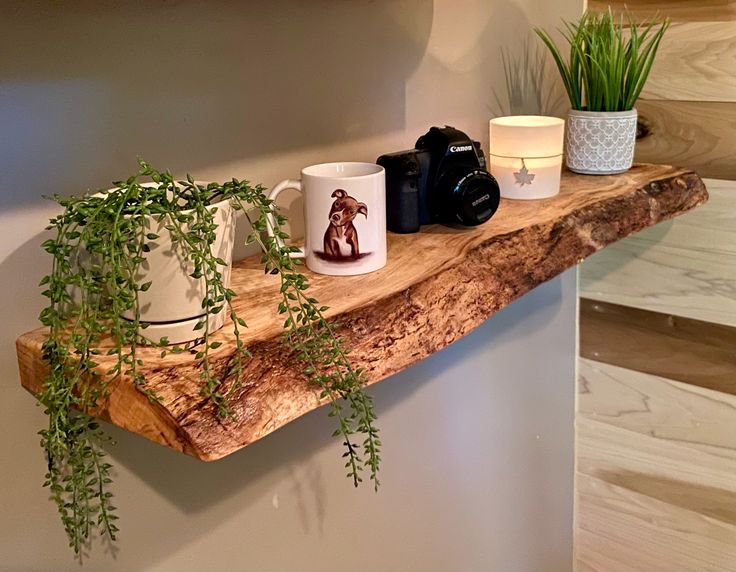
(688, 108)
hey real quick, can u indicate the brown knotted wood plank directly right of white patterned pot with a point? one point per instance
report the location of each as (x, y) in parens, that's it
(698, 135)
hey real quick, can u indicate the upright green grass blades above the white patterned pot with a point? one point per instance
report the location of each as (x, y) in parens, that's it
(609, 61)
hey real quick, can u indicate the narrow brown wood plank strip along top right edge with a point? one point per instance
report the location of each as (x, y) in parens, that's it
(677, 10)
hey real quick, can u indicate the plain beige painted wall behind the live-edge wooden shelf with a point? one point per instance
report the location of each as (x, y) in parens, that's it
(258, 90)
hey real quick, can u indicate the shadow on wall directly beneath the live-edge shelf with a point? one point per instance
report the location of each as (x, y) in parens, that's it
(301, 438)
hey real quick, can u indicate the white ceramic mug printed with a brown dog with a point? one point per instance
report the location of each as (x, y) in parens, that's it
(344, 217)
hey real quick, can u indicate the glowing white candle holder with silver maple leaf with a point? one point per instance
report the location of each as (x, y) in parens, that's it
(526, 155)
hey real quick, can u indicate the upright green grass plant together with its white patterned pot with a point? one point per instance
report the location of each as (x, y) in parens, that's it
(608, 64)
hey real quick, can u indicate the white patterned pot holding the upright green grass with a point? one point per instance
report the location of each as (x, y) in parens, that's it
(600, 142)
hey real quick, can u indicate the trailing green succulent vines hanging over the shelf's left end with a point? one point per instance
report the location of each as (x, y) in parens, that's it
(101, 241)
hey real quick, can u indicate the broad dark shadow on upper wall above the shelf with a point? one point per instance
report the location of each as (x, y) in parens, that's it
(188, 85)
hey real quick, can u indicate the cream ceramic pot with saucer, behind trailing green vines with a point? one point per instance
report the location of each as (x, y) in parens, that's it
(173, 303)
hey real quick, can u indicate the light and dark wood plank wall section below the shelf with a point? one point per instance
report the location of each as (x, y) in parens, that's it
(656, 458)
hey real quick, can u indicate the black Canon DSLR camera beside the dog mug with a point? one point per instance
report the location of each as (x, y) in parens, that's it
(443, 180)
